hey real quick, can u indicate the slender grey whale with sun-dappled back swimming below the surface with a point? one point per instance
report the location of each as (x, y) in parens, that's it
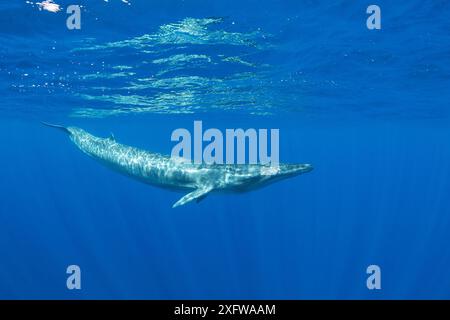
(197, 181)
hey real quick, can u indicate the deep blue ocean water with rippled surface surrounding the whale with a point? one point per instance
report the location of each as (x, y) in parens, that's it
(368, 108)
